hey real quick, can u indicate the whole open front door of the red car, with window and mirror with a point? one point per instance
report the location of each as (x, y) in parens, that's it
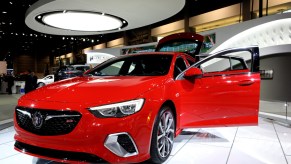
(222, 89)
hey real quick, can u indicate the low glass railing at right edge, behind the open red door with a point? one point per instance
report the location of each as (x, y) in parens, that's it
(276, 110)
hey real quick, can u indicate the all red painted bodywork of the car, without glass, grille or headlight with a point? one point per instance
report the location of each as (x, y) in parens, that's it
(214, 99)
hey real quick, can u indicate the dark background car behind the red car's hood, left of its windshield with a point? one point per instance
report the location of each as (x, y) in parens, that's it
(69, 71)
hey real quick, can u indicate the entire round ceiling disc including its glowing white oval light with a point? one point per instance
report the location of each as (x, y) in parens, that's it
(119, 16)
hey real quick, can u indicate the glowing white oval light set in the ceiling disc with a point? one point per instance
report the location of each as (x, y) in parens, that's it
(85, 21)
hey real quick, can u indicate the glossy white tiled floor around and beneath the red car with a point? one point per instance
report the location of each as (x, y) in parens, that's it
(269, 142)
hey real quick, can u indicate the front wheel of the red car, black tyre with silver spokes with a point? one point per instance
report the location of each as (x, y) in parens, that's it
(162, 136)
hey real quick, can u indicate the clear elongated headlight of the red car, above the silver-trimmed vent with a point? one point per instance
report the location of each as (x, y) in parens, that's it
(118, 110)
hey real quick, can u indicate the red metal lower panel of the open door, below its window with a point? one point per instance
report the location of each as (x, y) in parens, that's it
(212, 101)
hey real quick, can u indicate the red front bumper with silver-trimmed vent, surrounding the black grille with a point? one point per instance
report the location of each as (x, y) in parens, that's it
(93, 139)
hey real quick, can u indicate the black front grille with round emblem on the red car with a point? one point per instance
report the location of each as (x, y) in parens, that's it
(47, 122)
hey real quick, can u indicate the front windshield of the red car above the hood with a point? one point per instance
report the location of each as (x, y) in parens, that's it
(134, 65)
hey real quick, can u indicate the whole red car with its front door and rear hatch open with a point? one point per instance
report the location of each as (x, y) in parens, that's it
(130, 108)
